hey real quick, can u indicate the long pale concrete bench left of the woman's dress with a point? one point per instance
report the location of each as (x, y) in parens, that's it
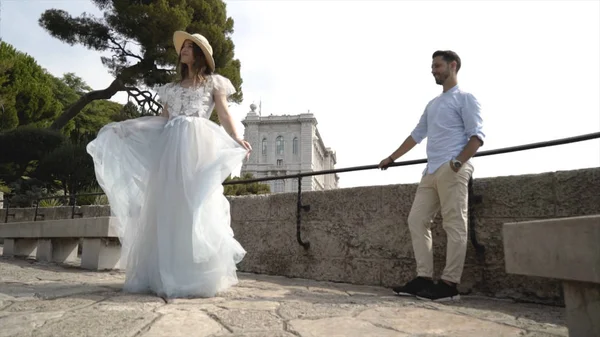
(58, 241)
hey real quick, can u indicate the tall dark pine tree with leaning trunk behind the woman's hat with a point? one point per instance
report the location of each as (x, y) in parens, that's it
(148, 26)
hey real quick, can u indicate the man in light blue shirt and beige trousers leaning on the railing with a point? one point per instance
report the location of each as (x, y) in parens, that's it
(452, 124)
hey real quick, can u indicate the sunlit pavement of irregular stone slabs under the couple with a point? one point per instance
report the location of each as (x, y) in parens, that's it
(39, 299)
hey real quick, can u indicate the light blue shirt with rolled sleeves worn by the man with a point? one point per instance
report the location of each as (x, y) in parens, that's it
(448, 122)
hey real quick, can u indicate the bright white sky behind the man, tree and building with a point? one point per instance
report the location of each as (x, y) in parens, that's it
(363, 69)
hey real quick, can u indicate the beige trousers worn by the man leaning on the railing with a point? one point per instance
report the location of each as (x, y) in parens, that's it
(447, 191)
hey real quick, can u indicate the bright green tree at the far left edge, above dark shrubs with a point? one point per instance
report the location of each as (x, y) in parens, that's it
(25, 91)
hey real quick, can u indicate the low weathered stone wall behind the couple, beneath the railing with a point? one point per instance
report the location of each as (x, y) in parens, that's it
(360, 235)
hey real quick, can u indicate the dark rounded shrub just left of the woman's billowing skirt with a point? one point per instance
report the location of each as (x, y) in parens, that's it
(69, 166)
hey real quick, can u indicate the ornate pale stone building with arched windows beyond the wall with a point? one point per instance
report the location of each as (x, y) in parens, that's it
(288, 144)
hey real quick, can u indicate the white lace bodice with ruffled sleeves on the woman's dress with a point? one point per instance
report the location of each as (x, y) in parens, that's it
(193, 101)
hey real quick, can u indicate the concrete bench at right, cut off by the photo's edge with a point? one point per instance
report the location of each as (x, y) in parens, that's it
(566, 249)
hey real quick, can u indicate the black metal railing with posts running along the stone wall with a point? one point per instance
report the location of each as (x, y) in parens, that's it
(300, 207)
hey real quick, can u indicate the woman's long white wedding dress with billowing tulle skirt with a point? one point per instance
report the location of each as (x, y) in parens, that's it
(163, 182)
